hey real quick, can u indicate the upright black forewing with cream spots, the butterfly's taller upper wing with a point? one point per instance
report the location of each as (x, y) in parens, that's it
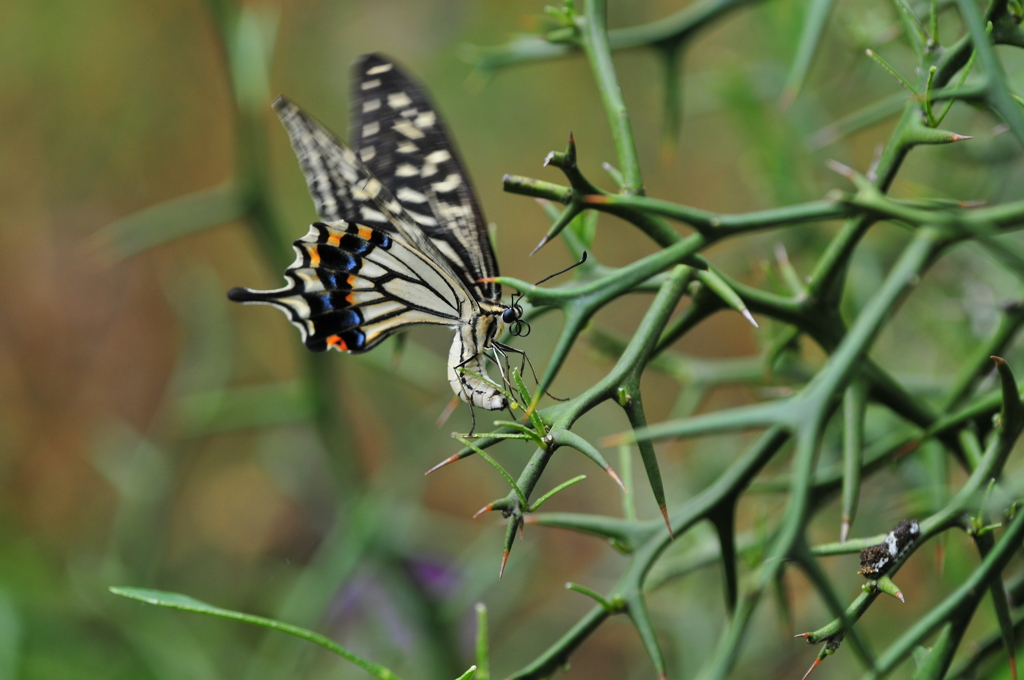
(400, 137)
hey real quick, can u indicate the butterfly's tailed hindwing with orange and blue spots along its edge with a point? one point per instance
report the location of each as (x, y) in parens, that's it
(352, 286)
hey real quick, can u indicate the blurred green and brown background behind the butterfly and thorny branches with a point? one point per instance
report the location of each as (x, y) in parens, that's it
(154, 438)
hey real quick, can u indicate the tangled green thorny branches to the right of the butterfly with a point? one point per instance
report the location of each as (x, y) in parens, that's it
(812, 310)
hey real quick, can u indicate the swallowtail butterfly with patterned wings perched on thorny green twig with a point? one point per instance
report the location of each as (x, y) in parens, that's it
(402, 240)
